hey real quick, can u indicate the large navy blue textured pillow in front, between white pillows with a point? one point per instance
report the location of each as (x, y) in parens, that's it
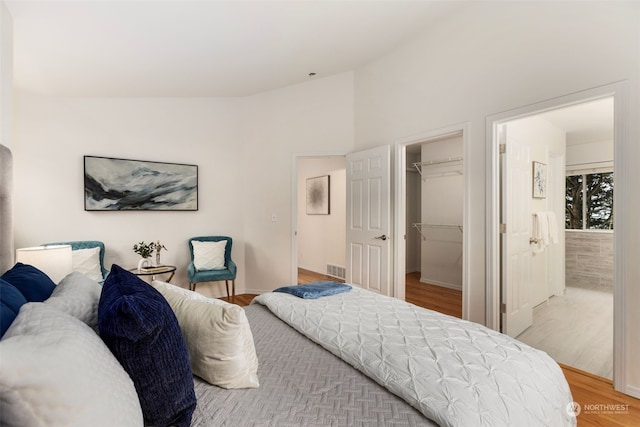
(140, 329)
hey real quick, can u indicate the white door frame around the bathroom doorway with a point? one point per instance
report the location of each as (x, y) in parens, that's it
(496, 277)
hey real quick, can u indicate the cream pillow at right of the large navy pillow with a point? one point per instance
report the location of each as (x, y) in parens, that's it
(218, 337)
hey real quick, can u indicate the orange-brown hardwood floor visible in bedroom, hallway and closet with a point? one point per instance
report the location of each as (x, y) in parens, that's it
(600, 404)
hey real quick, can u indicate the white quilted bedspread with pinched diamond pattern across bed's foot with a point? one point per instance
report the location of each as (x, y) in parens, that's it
(455, 372)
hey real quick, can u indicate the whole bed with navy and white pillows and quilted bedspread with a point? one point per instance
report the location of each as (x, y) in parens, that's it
(353, 358)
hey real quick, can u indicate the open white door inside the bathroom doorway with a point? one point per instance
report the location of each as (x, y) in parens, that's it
(516, 170)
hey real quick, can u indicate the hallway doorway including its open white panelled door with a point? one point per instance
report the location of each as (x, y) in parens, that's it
(367, 235)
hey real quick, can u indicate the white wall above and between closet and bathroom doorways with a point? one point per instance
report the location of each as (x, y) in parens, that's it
(499, 56)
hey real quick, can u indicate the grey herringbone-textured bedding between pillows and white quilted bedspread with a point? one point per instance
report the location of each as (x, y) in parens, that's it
(300, 384)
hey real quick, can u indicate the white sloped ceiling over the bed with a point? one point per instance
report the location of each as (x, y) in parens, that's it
(206, 48)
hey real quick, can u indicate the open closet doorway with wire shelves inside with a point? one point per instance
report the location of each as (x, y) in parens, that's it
(433, 191)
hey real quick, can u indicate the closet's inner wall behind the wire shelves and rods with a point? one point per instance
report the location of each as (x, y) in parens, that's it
(442, 204)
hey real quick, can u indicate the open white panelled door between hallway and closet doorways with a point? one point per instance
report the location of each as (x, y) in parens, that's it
(369, 220)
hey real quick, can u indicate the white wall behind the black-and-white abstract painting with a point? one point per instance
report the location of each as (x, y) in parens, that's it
(53, 135)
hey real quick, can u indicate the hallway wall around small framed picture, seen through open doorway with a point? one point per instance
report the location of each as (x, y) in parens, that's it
(321, 238)
